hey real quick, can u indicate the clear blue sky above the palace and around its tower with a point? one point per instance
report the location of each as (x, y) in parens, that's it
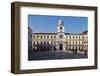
(72, 24)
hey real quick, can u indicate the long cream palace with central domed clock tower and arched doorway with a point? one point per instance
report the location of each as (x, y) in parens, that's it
(60, 40)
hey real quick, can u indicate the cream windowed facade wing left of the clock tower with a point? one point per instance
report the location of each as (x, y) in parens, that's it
(44, 42)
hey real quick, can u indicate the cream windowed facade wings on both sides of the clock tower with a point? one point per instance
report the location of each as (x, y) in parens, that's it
(49, 42)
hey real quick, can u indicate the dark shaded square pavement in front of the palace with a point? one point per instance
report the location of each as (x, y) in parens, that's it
(49, 55)
